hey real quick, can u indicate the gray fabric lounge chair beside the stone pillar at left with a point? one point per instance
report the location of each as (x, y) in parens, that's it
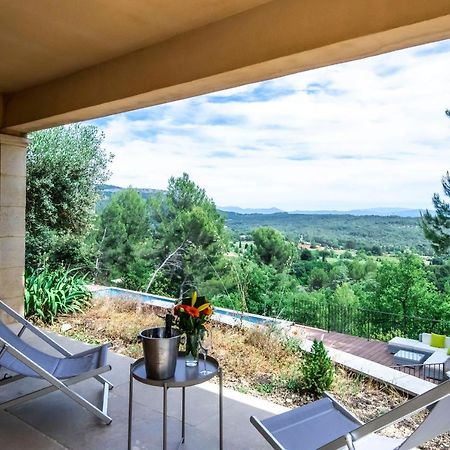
(60, 372)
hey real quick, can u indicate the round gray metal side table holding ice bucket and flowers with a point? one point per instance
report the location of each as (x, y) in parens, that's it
(183, 378)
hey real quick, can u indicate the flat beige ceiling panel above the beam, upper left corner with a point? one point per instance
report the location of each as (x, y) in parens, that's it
(41, 40)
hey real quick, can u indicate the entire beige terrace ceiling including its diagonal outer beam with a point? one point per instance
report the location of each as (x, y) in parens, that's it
(63, 61)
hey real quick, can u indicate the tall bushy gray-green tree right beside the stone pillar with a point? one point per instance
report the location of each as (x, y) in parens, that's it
(64, 167)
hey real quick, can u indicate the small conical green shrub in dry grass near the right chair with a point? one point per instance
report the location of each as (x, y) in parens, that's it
(317, 370)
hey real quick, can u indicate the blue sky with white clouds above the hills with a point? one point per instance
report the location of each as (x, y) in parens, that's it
(364, 134)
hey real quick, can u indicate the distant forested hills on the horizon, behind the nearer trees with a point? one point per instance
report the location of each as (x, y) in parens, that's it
(353, 229)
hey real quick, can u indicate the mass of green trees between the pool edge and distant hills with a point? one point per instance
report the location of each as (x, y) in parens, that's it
(364, 293)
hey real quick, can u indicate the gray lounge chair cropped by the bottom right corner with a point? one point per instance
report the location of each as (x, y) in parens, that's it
(327, 425)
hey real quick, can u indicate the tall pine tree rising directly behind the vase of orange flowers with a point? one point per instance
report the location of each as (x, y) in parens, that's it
(188, 233)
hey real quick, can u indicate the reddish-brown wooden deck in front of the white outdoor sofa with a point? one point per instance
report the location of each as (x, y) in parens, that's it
(372, 350)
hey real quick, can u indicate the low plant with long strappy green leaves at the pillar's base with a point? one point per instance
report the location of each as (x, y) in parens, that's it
(49, 292)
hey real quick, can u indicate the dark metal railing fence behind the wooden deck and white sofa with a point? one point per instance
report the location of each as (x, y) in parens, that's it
(361, 322)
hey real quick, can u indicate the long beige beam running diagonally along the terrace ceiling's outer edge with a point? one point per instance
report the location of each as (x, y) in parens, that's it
(277, 38)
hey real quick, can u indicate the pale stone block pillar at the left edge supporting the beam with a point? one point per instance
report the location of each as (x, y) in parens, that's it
(12, 219)
